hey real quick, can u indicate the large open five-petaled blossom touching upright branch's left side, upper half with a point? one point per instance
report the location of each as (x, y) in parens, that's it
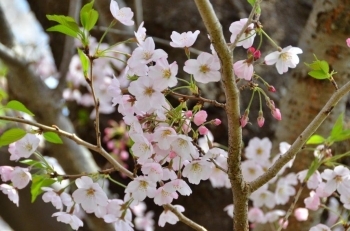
(204, 69)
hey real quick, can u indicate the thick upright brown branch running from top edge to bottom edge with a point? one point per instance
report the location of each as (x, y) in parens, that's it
(240, 189)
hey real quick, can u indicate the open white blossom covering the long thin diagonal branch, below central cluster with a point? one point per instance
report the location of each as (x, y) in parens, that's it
(141, 187)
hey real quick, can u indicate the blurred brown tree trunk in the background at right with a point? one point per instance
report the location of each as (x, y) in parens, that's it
(324, 35)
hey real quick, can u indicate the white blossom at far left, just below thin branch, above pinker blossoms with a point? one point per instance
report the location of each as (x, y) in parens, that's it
(24, 147)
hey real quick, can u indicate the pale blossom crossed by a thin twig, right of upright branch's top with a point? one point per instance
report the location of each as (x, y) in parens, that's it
(247, 38)
